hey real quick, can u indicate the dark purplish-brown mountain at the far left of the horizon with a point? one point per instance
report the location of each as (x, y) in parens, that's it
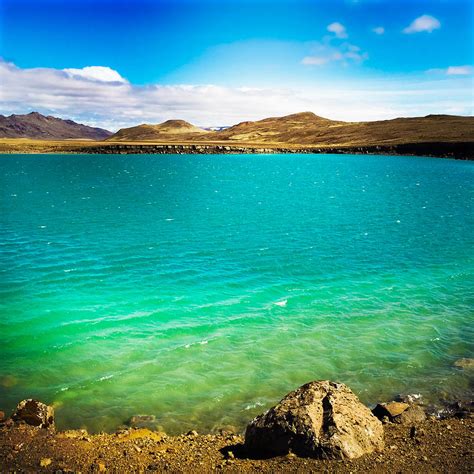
(38, 126)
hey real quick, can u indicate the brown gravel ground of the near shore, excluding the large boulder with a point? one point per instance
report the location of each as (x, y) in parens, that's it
(433, 445)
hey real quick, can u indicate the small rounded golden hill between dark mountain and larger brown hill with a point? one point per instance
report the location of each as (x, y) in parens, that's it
(171, 130)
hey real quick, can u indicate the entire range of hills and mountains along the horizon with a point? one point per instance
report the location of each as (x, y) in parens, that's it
(305, 129)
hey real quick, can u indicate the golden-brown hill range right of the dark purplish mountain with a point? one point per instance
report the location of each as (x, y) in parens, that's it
(306, 128)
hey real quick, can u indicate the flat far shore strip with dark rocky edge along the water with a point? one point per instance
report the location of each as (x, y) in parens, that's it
(453, 150)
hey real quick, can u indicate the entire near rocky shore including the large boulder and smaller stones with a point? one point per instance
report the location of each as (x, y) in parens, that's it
(320, 427)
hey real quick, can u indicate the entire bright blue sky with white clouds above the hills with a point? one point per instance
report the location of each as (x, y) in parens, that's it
(218, 62)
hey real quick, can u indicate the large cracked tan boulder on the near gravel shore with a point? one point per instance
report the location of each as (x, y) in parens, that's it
(321, 419)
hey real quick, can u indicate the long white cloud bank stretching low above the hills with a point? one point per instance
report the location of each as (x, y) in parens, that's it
(115, 104)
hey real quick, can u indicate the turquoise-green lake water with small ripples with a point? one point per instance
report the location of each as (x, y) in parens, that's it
(201, 289)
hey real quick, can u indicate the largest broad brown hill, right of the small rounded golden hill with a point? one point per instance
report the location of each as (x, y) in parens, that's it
(308, 129)
